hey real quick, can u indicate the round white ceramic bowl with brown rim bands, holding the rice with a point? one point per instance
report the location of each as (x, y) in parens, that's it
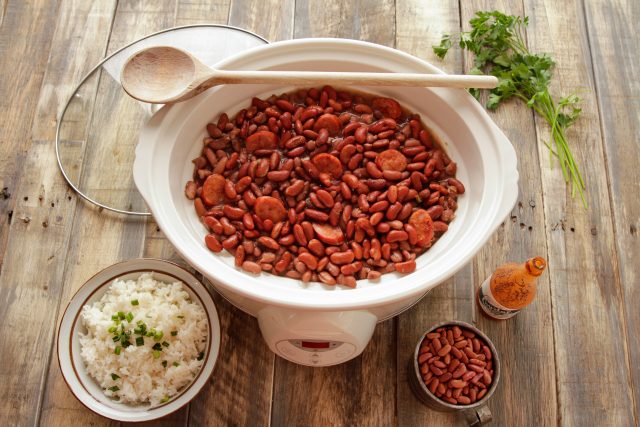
(85, 388)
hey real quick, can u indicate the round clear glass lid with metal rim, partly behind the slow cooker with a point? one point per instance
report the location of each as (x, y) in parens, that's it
(98, 128)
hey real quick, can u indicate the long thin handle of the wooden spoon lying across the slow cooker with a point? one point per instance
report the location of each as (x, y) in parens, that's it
(308, 78)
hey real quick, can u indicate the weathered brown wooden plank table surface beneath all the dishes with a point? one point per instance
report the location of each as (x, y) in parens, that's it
(571, 358)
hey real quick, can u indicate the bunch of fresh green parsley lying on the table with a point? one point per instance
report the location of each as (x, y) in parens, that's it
(497, 42)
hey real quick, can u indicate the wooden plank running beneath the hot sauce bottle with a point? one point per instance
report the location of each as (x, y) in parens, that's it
(520, 237)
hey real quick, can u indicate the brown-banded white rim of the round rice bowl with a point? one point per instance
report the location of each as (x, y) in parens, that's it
(187, 394)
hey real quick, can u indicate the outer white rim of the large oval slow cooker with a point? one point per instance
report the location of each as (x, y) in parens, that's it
(353, 298)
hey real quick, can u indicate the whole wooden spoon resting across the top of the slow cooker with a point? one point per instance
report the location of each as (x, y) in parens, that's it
(163, 74)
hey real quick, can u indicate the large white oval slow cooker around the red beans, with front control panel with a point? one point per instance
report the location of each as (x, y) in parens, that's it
(313, 324)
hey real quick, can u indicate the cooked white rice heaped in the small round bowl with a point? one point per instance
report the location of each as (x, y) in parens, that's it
(143, 378)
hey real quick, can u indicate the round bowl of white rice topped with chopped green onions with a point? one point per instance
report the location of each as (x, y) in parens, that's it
(139, 340)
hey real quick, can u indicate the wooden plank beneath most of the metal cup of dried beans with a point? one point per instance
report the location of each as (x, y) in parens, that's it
(420, 24)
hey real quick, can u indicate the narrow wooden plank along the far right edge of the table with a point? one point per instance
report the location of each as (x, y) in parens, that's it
(615, 58)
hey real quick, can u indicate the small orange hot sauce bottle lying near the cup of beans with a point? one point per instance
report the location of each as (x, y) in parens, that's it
(510, 288)
